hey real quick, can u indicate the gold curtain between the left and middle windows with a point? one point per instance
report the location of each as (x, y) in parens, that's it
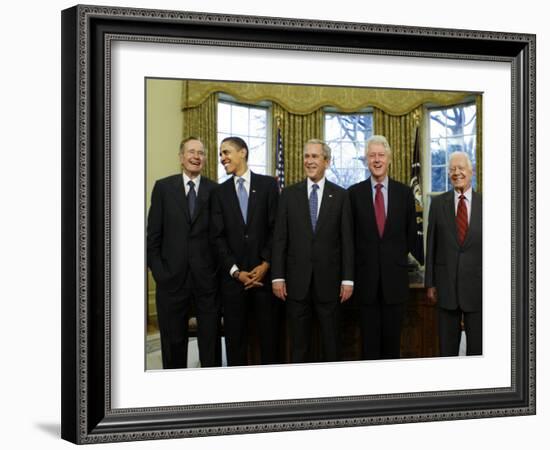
(296, 130)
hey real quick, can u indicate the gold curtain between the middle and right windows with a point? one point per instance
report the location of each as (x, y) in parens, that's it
(400, 132)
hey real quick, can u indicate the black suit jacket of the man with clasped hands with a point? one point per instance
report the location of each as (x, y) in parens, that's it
(245, 245)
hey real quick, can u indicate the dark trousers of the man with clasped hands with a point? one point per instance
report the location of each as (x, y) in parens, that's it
(238, 309)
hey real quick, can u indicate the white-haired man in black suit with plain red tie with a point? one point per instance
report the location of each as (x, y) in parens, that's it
(385, 230)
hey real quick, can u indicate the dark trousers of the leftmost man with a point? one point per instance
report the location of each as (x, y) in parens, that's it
(173, 308)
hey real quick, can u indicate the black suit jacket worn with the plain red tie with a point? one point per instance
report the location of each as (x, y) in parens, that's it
(382, 261)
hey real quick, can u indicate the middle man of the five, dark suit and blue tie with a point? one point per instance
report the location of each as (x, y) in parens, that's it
(313, 254)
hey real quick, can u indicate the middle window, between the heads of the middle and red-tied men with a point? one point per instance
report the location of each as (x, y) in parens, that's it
(346, 134)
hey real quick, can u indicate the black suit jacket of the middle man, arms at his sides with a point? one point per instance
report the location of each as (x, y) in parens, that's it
(327, 253)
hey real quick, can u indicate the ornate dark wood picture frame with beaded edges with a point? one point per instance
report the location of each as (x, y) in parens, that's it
(87, 33)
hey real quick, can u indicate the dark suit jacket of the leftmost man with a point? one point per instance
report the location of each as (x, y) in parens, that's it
(177, 242)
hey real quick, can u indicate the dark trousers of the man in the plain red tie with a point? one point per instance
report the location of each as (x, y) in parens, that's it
(380, 325)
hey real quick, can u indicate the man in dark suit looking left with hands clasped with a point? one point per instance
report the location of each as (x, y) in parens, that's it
(243, 217)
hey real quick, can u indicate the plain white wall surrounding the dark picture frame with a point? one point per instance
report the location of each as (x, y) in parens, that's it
(30, 225)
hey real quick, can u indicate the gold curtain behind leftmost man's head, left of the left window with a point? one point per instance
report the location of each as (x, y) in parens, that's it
(201, 121)
